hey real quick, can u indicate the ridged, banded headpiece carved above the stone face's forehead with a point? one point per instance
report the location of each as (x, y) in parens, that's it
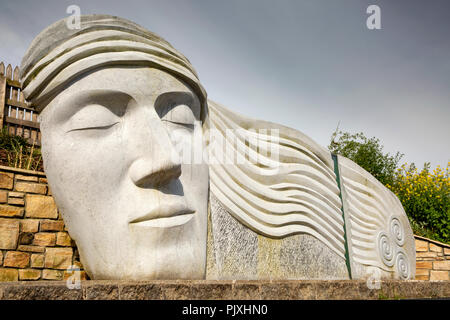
(59, 55)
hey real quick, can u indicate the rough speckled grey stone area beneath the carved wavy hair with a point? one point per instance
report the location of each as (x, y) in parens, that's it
(247, 255)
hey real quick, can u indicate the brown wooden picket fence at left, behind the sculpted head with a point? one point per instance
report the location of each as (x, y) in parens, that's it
(18, 116)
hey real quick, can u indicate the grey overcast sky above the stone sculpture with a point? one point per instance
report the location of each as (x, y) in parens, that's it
(307, 64)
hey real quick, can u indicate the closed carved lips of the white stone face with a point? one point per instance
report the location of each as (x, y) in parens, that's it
(165, 216)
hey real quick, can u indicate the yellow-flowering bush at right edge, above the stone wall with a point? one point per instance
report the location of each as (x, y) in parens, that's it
(425, 196)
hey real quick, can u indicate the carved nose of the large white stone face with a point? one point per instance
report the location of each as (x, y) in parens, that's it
(156, 163)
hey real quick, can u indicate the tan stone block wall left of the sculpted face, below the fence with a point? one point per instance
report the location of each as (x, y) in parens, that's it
(34, 243)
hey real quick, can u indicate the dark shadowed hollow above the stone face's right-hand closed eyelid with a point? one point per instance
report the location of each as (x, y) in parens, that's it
(167, 100)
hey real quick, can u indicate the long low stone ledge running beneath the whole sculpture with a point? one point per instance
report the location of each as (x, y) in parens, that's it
(224, 290)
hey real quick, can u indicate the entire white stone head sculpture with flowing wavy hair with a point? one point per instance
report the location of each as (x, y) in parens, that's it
(155, 181)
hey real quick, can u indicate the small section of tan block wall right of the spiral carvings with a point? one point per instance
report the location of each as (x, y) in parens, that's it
(432, 259)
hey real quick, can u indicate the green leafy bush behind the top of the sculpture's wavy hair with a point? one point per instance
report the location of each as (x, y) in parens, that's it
(368, 153)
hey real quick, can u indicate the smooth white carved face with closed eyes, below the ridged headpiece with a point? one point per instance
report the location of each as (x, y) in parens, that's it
(134, 208)
